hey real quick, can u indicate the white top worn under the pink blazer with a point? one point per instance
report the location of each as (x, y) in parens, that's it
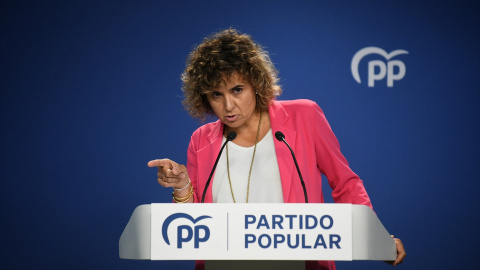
(265, 184)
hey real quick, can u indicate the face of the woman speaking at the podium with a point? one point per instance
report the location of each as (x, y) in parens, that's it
(234, 102)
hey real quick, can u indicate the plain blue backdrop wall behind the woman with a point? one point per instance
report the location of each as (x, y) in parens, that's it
(90, 92)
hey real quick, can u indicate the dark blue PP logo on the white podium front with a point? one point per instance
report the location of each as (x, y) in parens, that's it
(186, 233)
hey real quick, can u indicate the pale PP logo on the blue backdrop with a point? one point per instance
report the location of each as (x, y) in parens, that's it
(394, 70)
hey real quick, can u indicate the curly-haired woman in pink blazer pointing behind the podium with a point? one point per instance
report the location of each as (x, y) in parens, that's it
(232, 78)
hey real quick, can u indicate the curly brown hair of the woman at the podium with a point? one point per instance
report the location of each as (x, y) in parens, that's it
(225, 53)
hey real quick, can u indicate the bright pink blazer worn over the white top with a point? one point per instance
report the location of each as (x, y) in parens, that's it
(317, 150)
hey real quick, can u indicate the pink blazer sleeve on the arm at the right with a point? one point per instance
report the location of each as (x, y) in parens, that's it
(346, 186)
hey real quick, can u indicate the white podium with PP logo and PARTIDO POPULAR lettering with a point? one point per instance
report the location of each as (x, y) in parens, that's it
(231, 235)
